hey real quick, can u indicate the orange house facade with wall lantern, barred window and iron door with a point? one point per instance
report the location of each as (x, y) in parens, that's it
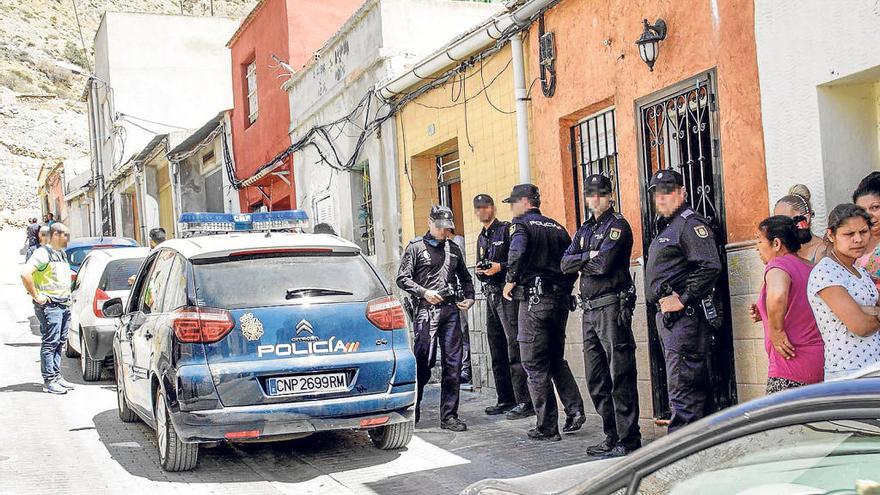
(599, 109)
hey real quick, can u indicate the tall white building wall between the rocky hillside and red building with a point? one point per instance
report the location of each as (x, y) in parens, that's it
(174, 70)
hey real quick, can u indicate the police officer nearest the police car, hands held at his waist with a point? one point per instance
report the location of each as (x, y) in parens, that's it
(433, 271)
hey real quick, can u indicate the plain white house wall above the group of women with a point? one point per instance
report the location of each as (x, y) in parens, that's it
(808, 49)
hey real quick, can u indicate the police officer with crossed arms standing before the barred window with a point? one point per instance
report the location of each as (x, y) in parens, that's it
(601, 251)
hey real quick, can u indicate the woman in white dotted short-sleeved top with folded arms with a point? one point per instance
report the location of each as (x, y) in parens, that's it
(843, 296)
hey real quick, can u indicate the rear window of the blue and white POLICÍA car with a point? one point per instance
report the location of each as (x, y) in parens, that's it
(284, 279)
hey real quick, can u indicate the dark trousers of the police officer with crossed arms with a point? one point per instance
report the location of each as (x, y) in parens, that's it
(610, 363)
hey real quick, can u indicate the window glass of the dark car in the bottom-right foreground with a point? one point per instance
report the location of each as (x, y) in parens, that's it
(812, 458)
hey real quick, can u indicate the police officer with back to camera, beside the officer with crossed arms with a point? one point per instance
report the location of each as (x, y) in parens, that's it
(533, 277)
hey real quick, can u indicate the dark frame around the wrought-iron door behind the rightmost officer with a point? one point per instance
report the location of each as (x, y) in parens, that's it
(724, 396)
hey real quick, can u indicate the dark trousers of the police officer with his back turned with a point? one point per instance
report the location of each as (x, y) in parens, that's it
(542, 343)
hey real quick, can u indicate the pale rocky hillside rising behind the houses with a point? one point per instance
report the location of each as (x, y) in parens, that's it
(43, 69)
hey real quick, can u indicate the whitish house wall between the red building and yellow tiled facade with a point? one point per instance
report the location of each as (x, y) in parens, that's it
(383, 37)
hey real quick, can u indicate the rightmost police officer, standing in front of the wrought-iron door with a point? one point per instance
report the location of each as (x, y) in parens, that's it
(682, 268)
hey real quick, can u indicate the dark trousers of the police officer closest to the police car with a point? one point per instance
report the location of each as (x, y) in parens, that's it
(439, 326)
